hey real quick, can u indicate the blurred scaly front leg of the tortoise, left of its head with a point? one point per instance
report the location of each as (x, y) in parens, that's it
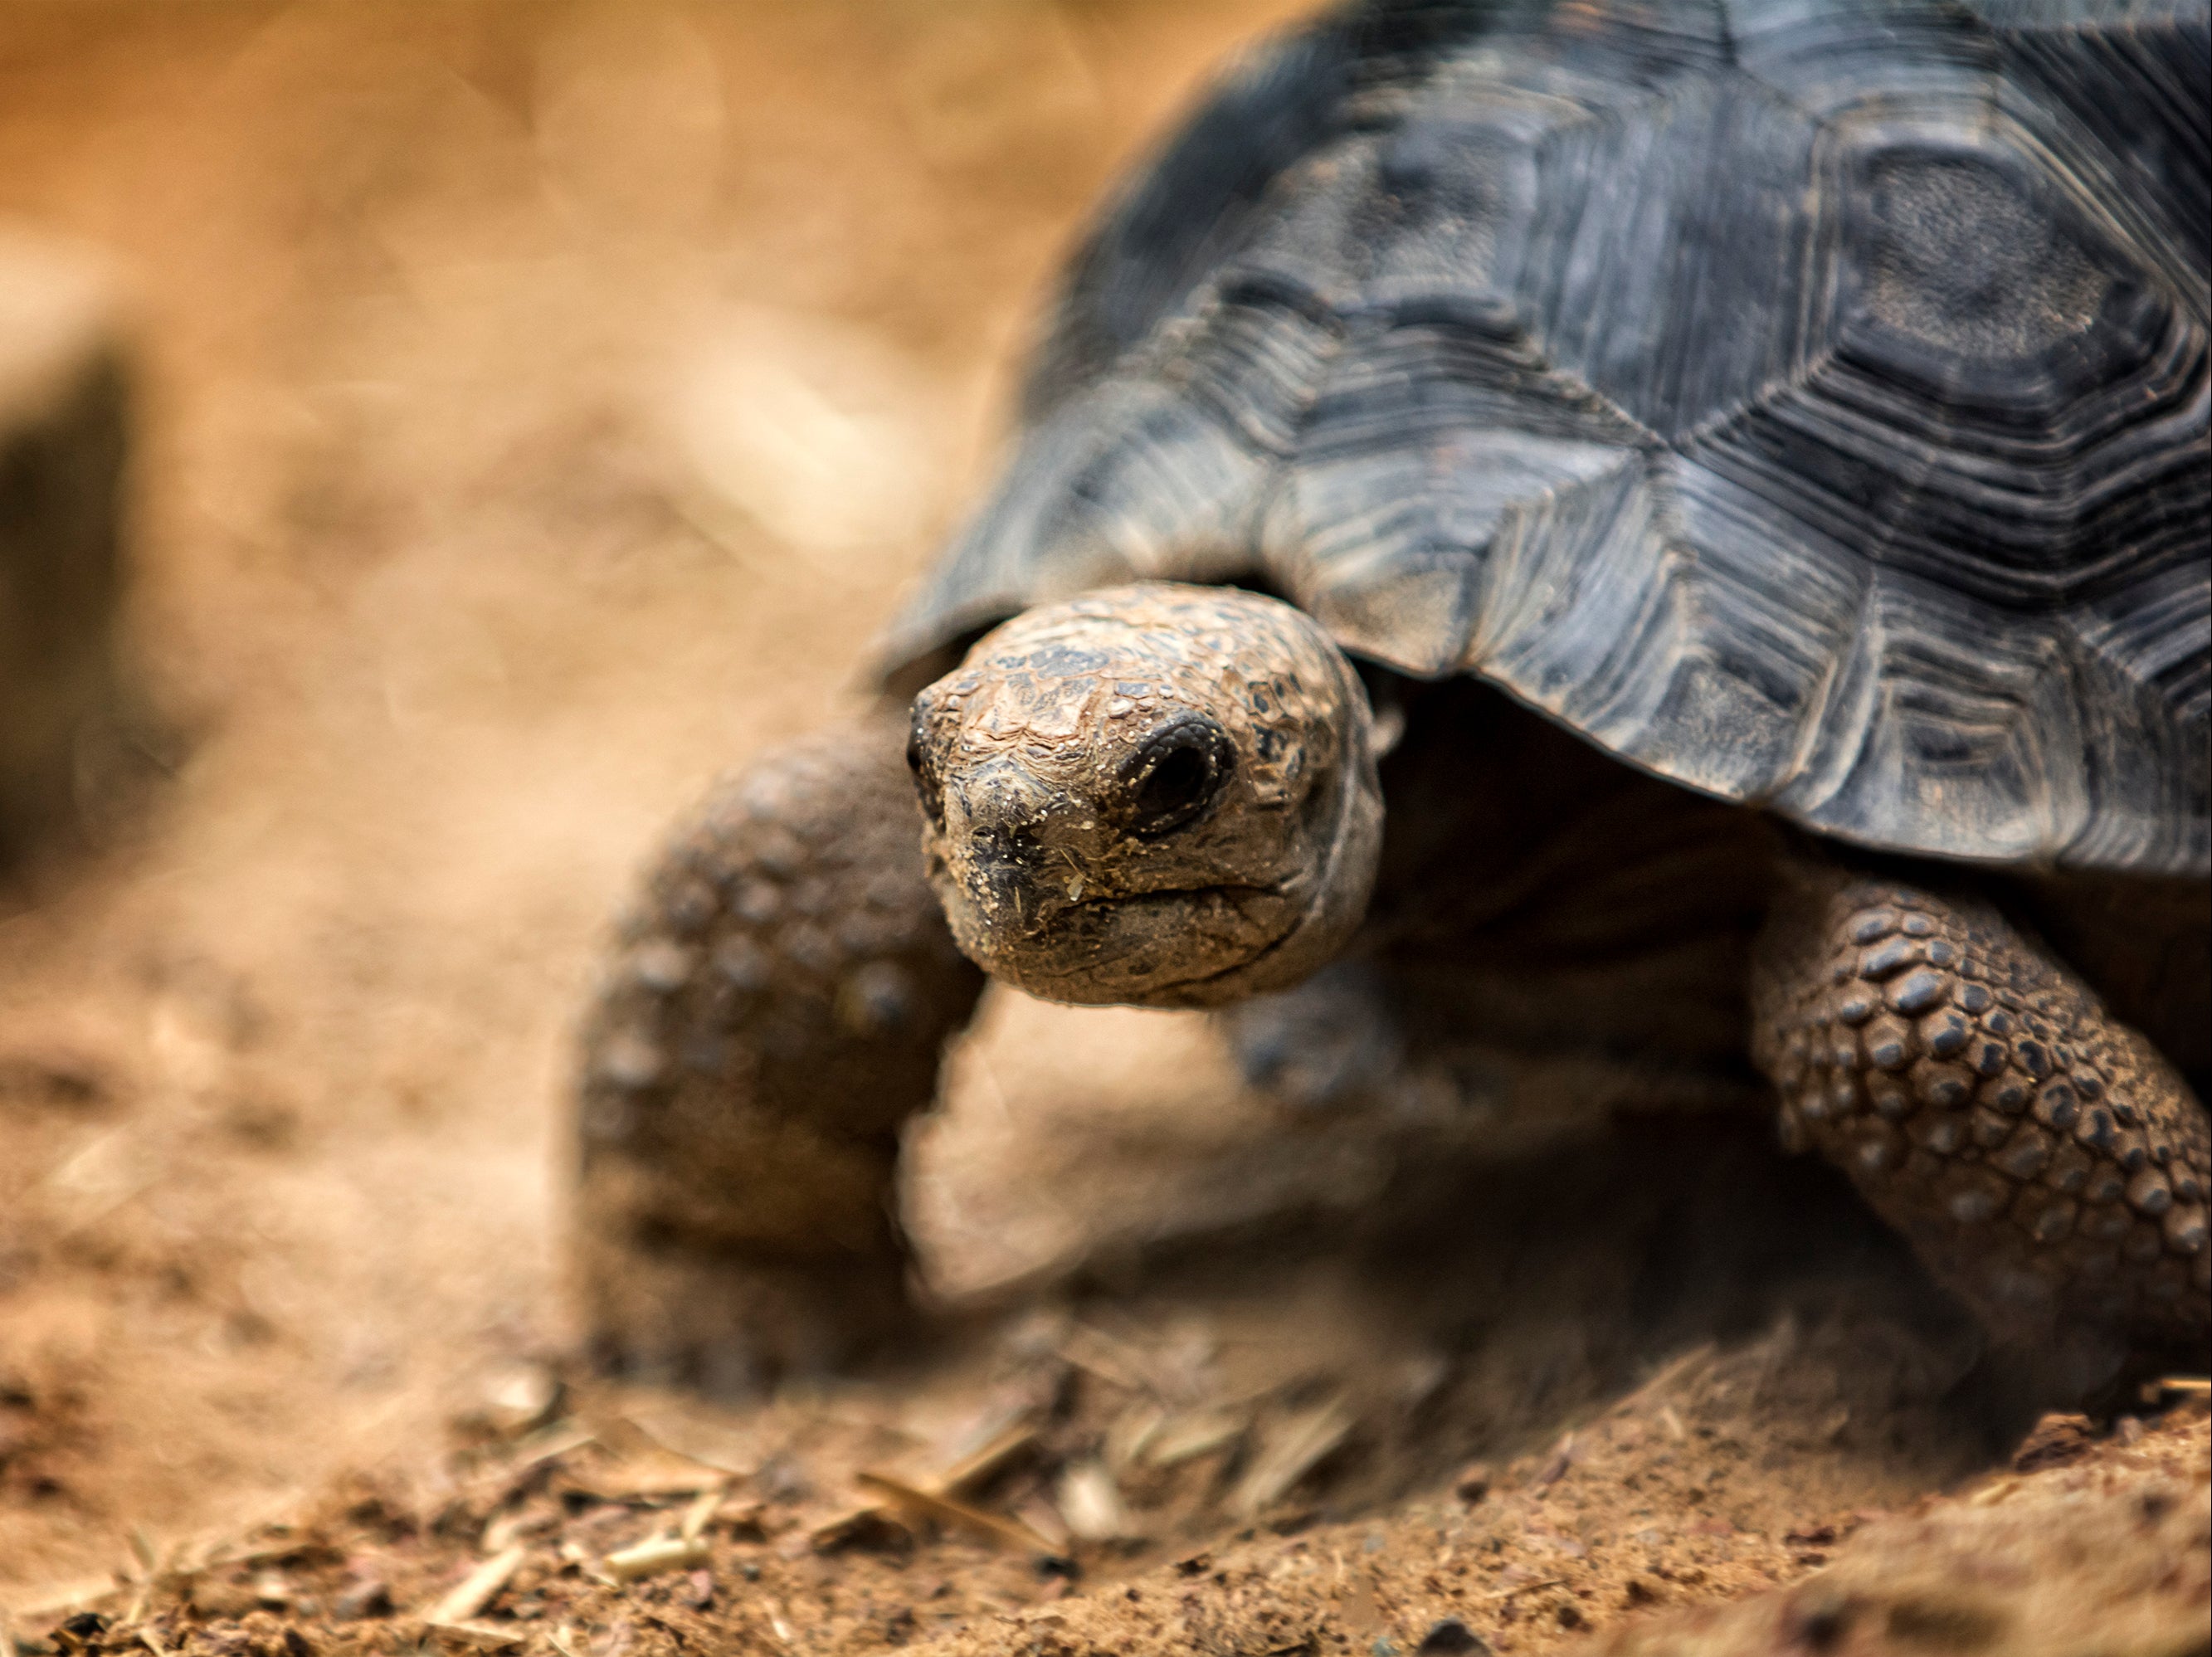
(780, 1008)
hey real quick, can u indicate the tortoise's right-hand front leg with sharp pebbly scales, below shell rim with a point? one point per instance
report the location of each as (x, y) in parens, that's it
(2043, 1158)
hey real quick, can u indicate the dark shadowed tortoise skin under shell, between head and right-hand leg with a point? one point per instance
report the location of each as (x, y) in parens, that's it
(1545, 895)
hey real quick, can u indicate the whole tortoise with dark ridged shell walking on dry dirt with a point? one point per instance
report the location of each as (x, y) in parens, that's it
(1631, 550)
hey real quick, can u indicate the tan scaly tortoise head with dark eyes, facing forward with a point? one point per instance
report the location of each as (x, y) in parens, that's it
(1151, 795)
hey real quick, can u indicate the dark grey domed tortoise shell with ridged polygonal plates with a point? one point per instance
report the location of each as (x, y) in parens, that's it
(1799, 399)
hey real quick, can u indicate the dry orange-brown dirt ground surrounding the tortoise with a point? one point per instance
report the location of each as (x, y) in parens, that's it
(543, 406)
